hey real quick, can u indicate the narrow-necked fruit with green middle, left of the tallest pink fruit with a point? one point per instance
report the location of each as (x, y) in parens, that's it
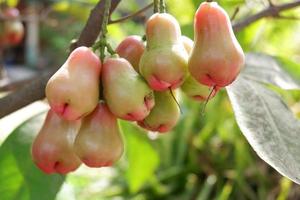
(164, 63)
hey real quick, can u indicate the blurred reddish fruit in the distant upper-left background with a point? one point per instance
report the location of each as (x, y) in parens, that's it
(12, 29)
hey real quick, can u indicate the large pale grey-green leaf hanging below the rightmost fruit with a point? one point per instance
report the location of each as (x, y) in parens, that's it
(268, 125)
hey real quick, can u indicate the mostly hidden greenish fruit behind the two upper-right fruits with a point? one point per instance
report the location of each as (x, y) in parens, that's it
(191, 87)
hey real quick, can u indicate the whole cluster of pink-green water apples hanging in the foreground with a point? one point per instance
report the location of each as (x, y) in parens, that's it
(137, 86)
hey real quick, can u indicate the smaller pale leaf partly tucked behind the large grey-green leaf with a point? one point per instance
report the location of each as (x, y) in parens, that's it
(266, 69)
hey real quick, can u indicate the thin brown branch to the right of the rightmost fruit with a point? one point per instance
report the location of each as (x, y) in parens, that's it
(271, 11)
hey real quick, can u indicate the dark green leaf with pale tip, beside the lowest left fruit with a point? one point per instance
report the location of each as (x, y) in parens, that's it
(21, 179)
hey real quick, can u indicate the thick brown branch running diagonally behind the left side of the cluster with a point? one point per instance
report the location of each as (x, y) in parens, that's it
(35, 90)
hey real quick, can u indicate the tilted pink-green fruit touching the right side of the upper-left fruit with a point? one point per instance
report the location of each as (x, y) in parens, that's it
(126, 93)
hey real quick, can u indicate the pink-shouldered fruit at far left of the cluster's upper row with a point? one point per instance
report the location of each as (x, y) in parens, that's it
(73, 91)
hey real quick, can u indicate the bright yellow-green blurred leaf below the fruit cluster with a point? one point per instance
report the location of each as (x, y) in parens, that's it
(143, 159)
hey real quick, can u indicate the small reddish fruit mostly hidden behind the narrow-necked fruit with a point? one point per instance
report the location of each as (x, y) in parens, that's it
(132, 48)
